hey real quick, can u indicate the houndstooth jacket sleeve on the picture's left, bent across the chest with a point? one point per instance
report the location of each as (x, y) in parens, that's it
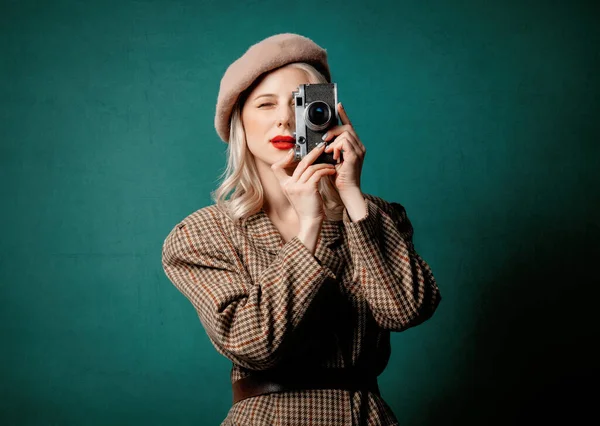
(248, 322)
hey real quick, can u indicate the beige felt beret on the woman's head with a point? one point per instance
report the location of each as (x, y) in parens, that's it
(267, 55)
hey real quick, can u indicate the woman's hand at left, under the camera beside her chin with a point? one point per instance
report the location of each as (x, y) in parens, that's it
(302, 188)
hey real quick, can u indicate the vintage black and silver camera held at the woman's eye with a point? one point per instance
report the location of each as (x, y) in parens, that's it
(316, 112)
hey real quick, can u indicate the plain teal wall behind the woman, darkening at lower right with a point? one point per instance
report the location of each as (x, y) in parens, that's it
(481, 118)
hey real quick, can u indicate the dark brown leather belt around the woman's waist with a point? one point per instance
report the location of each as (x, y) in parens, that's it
(264, 382)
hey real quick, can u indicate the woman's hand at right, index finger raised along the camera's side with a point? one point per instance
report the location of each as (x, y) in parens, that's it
(348, 171)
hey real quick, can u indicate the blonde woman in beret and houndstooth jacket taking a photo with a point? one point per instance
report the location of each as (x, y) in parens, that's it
(299, 277)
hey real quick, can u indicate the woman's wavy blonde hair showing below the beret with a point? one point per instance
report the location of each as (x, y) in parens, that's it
(241, 179)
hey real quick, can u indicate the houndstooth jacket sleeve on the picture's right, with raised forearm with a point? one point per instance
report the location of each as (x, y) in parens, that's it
(396, 282)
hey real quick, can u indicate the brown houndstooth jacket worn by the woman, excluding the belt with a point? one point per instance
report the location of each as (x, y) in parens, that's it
(266, 304)
